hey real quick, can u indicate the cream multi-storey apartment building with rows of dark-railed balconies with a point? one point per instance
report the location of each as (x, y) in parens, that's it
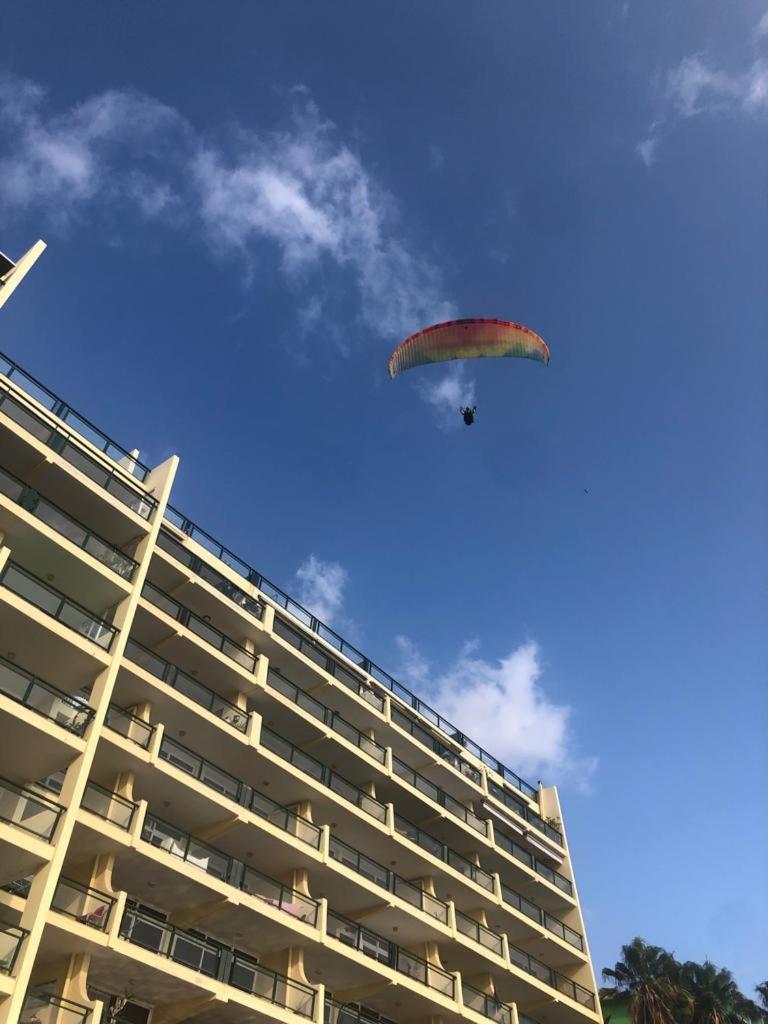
(216, 809)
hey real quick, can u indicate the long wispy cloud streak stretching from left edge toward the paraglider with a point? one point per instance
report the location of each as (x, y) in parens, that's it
(301, 192)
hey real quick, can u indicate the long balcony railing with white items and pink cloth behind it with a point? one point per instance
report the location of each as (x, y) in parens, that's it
(221, 866)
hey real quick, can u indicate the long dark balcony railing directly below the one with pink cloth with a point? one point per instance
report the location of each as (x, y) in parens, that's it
(214, 960)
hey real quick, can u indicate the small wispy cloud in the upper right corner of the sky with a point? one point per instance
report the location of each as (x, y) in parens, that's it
(697, 88)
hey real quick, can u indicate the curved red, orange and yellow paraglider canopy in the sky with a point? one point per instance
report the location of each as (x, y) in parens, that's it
(467, 339)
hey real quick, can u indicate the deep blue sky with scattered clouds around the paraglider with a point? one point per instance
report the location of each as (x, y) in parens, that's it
(259, 203)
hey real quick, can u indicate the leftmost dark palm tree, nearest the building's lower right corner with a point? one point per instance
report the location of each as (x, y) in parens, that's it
(648, 975)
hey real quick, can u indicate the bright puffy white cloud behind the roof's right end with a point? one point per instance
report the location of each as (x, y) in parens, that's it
(504, 708)
